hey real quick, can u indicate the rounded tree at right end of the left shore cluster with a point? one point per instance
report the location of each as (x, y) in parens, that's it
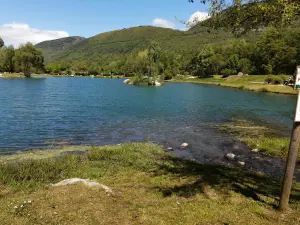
(29, 57)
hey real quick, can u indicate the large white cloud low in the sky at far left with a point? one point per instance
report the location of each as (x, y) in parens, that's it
(18, 33)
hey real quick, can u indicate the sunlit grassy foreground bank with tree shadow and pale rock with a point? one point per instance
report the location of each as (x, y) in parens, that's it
(150, 186)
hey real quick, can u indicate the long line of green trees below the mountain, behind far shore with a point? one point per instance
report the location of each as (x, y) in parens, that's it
(275, 51)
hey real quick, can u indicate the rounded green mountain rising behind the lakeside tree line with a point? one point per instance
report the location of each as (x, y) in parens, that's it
(115, 45)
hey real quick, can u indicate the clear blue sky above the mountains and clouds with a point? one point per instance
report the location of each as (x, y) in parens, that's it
(90, 17)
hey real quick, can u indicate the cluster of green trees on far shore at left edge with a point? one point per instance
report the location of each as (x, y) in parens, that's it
(26, 59)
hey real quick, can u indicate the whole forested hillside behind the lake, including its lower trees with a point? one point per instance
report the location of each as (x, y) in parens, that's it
(199, 51)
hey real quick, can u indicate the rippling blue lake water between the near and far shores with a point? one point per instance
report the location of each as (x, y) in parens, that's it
(44, 112)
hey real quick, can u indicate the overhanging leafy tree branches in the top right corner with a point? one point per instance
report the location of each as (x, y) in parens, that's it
(244, 15)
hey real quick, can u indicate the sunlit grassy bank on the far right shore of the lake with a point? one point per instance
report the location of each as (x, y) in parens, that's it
(250, 82)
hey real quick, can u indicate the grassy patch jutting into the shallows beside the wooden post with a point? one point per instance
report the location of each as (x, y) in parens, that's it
(266, 140)
